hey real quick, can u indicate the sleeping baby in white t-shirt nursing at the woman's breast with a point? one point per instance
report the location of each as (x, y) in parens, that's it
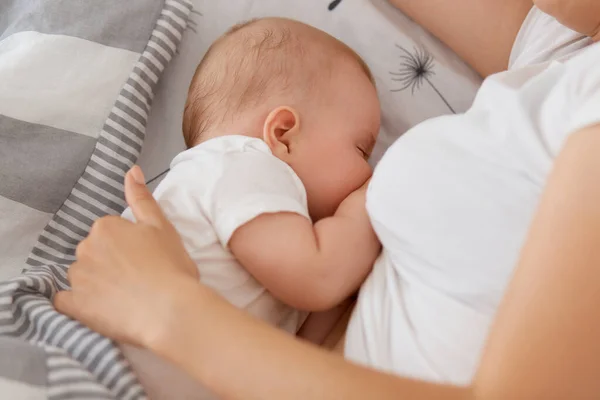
(269, 199)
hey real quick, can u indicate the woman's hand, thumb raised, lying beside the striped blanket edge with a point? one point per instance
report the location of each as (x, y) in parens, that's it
(128, 276)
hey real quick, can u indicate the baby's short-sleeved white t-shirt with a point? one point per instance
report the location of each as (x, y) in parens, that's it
(213, 189)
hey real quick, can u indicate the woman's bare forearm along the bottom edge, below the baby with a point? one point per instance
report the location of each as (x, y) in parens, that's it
(243, 358)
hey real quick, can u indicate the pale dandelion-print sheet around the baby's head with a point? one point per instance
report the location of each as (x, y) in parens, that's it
(417, 77)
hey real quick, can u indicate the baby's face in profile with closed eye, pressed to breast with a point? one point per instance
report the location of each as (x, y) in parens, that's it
(332, 157)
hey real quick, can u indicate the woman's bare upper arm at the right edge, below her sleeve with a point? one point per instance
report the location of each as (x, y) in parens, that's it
(546, 340)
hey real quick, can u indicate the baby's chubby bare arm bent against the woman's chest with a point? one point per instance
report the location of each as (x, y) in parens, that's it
(310, 267)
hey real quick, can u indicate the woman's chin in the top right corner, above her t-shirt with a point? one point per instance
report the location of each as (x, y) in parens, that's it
(582, 16)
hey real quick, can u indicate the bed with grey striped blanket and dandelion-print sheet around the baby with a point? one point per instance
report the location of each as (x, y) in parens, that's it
(90, 87)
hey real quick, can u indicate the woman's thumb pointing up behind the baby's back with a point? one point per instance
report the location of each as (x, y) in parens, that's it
(144, 207)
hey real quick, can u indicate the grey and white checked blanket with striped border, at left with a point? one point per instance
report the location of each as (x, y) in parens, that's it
(77, 79)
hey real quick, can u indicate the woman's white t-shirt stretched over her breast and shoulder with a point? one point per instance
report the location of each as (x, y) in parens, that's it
(451, 202)
